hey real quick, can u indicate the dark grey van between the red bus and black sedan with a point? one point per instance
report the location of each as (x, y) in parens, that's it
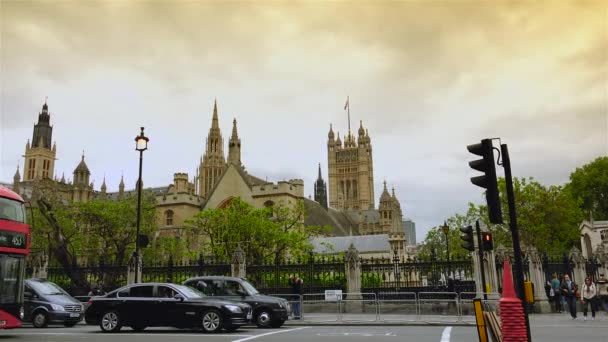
(45, 302)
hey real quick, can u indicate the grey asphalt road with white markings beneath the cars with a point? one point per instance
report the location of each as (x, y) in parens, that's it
(549, 328)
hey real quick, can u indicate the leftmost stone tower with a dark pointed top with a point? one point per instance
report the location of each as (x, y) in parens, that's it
(40, 157)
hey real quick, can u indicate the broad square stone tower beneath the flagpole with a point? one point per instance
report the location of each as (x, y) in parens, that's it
(351, 171)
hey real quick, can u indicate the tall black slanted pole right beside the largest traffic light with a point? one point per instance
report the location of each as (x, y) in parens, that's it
(518, 272)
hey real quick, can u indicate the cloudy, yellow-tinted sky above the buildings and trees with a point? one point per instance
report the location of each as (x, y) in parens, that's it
(426, 78)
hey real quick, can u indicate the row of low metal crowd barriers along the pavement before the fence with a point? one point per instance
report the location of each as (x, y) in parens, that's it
(389, 307)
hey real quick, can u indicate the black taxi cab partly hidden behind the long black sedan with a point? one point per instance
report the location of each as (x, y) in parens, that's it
(267, 311)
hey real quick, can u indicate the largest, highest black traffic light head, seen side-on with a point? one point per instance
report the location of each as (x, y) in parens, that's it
(488, 180)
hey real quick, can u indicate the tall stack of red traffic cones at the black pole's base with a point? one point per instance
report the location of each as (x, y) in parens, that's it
(513, 325)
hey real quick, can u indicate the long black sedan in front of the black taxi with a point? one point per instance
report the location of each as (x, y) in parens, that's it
(161, 304)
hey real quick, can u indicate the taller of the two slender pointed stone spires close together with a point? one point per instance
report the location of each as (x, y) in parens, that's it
(213, 162)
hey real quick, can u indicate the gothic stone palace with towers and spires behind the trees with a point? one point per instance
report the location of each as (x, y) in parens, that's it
(351, 208)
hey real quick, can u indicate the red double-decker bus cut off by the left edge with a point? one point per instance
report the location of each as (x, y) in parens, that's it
(14, 246)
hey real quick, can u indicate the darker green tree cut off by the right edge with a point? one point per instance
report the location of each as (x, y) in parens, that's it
(589, 184)
